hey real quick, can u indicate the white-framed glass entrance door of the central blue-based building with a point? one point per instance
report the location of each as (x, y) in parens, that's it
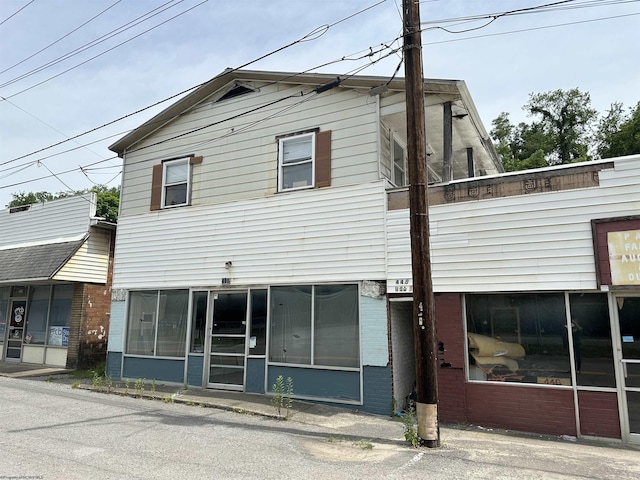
(227, 341)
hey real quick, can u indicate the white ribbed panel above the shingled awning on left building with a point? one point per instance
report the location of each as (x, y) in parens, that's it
(65, 218)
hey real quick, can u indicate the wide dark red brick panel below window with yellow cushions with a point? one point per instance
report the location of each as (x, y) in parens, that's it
(528, 409)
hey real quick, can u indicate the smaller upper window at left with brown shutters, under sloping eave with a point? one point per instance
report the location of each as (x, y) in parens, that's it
(171, 183)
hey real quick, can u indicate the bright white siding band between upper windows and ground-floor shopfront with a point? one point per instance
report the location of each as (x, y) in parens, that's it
(331, 234)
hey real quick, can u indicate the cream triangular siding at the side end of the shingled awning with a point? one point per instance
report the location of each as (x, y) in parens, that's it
(90, 263)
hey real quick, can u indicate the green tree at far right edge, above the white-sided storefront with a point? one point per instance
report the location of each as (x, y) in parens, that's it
(619, 134)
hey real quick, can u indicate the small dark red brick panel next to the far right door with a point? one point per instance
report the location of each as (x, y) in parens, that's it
(599, 416)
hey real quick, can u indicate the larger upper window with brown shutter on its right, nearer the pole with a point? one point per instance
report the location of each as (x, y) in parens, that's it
(304, 161)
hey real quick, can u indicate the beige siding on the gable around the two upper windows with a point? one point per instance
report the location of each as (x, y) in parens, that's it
(240, 156)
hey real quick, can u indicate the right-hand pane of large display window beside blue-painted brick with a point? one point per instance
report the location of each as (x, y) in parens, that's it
(336, 339)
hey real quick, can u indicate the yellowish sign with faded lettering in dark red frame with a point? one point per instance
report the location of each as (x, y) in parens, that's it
(624, 257)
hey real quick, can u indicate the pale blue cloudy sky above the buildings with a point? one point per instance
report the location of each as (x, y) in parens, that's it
(68, 67)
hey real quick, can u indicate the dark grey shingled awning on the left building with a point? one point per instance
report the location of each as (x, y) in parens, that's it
(37, 262)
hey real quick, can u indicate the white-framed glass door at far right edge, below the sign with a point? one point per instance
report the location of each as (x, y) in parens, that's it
(629, 319)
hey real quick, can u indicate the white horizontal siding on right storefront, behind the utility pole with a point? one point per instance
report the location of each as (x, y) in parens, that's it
(540, 241)
